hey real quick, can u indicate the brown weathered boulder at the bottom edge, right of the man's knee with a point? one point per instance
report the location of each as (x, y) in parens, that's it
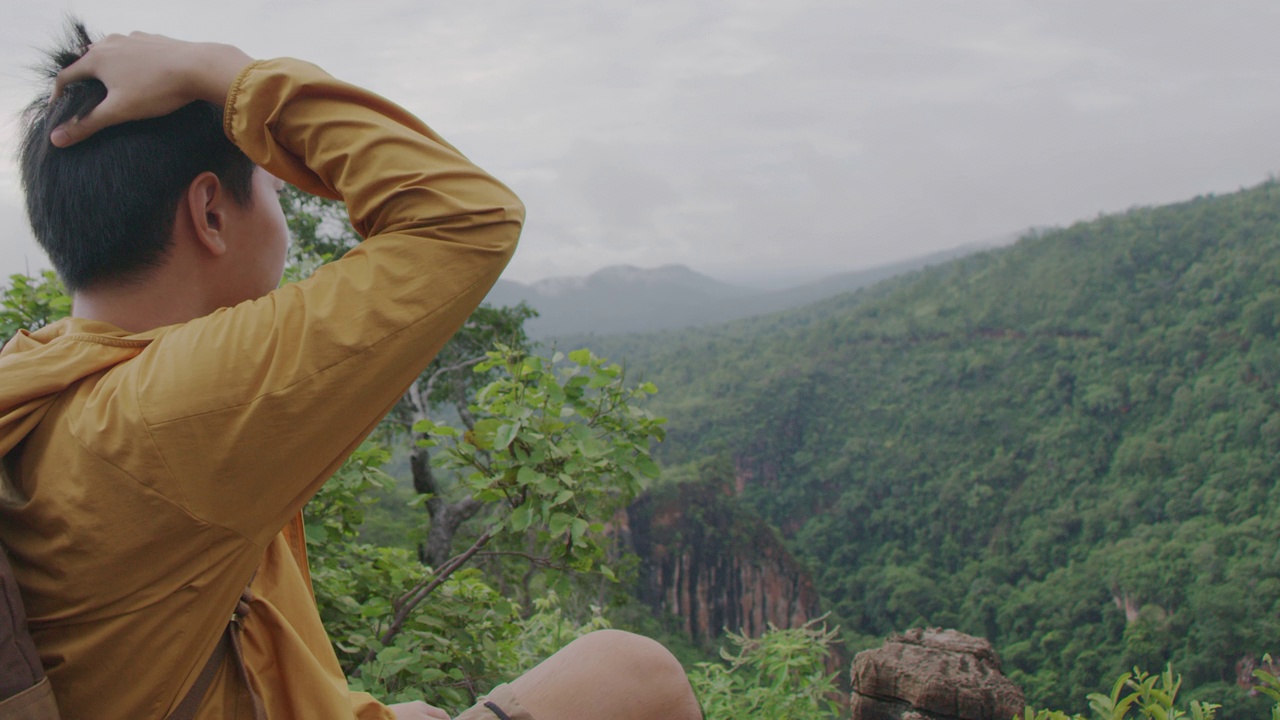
(932, 675)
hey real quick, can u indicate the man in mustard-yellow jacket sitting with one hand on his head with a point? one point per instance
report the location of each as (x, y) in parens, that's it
(157, 443)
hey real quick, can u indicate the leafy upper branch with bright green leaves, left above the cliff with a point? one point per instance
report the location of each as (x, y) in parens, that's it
(556, 445)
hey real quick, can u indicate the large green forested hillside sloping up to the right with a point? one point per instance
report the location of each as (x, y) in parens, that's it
(1069, 446)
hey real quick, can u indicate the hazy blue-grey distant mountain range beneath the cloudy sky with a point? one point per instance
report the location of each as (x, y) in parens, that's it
(625, 299)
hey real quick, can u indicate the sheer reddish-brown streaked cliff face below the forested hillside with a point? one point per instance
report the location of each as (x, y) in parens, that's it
(715, 564)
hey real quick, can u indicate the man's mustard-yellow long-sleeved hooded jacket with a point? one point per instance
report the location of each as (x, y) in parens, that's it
(149, 476)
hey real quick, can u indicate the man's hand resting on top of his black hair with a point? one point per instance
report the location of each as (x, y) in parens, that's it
(147, 76)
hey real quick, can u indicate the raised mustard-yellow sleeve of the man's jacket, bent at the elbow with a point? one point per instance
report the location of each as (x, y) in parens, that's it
(254, 407)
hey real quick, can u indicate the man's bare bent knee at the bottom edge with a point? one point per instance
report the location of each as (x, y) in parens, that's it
(609, 676)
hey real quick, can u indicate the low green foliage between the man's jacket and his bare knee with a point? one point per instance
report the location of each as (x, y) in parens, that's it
(465, 641)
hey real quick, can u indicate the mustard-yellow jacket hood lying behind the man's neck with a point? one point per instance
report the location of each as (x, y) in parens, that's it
(36, 367)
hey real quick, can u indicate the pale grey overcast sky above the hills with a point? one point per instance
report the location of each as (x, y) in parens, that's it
(757, 140)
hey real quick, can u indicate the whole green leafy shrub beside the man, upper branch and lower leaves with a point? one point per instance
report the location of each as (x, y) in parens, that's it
(551, 452)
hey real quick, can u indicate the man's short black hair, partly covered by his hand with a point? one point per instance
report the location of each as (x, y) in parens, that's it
(104, 208)
